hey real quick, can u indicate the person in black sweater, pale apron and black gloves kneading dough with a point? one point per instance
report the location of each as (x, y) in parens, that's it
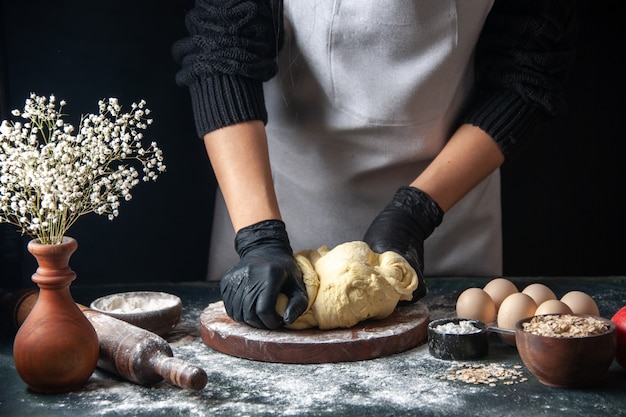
(409, 107)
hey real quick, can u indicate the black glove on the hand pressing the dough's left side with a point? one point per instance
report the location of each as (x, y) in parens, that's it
(266, 268)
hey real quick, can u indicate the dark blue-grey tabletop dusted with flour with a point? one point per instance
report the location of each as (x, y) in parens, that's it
(404, 384)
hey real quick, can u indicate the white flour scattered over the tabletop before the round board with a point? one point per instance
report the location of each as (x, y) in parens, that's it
(238, 387)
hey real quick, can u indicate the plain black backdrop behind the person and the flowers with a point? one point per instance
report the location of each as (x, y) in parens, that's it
(562, 215)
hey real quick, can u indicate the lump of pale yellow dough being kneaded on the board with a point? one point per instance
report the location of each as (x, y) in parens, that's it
(349, 284)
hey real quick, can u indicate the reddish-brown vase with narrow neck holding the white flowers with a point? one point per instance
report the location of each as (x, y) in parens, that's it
(56, 348)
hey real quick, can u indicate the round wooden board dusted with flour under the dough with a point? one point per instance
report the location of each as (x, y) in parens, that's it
(404, 329)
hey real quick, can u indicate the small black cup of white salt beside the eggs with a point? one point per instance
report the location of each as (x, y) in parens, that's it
(457, 339)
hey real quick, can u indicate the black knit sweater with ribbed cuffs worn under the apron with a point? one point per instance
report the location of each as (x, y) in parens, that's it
(522, 58)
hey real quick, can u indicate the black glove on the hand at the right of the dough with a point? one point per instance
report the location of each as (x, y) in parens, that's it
(403, 226)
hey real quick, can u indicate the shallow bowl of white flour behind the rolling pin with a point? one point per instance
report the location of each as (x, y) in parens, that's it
(158, 312)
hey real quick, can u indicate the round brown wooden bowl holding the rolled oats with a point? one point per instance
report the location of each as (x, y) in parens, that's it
(567, 361)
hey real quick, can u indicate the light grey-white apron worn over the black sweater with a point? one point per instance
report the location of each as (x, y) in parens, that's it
(366, 95)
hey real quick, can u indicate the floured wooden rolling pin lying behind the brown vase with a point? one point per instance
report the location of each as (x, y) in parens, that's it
(126, 350)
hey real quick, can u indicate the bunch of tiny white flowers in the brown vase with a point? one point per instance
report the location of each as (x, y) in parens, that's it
(50, 176)
